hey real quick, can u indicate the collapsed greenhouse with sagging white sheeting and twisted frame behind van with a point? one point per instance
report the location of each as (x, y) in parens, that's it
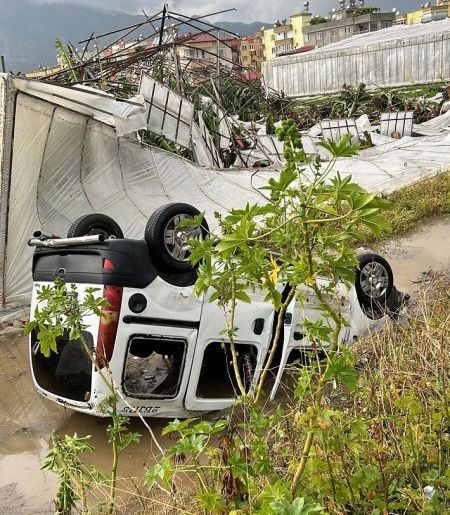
(105, 135)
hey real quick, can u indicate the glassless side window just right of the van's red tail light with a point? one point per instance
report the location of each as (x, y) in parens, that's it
(154, 366)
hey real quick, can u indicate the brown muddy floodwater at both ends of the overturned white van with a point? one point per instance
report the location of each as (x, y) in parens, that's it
(27, 419)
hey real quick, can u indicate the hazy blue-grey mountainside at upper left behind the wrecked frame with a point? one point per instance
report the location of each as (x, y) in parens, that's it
(28, 31)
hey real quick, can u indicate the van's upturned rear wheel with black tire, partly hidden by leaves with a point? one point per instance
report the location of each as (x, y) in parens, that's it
(171, 257)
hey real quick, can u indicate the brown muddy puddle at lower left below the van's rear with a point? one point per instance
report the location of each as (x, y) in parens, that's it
(26, 422)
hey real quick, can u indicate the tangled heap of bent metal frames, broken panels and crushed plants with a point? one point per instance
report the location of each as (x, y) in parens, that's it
(188, 72)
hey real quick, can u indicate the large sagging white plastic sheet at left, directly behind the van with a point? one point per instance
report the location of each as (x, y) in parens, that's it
(66, 164)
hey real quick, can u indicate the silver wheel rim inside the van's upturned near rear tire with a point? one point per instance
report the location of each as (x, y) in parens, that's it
(176, 238)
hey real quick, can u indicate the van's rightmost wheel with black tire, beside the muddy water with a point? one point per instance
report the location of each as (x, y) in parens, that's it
(373, 267)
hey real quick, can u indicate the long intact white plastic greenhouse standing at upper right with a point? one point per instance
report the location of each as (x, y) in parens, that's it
(402, 54)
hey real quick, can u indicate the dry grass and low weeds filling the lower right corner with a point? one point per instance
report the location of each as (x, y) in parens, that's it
(381, 445)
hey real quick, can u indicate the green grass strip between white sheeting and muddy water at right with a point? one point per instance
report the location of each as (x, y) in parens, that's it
(422, 201)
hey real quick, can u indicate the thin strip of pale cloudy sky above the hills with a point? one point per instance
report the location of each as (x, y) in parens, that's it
(248, 10)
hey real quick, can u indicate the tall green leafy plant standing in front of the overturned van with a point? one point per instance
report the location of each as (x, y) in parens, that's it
(279, 250)
